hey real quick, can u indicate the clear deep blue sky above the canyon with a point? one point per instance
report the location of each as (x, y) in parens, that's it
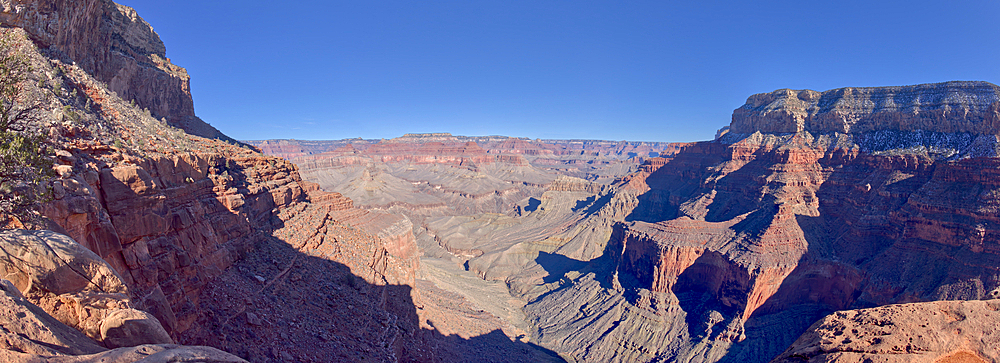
(615, 70)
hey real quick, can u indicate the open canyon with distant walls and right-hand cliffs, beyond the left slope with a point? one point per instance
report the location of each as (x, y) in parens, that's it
(808, 203)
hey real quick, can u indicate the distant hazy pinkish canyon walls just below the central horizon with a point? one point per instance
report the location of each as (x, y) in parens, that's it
(424, 175)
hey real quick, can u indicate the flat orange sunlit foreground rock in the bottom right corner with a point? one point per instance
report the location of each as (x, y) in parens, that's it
(940, 331)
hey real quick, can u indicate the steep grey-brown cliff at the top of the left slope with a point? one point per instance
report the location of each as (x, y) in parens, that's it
(113, 44)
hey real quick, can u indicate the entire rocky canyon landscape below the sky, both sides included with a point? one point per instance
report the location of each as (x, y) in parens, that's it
(851, 225)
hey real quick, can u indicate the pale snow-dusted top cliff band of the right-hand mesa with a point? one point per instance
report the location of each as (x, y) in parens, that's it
(951, 107)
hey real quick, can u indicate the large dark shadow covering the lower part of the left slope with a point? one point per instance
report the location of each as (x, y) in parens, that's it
(278, 304)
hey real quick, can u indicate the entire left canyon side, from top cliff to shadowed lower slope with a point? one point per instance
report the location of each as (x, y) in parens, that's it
(188, 226)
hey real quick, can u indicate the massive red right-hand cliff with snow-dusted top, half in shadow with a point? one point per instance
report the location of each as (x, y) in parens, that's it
(752, 237)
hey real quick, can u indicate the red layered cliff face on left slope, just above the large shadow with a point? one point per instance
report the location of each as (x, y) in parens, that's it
(170, 224)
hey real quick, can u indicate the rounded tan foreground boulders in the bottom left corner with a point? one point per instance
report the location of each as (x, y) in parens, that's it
(30, 334)
